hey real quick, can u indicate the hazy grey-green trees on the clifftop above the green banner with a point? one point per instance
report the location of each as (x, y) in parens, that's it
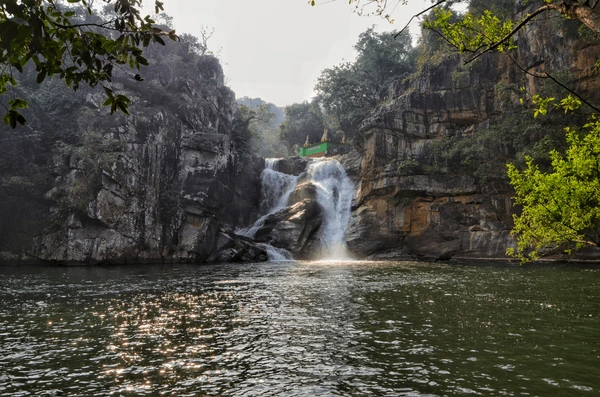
(349, 92)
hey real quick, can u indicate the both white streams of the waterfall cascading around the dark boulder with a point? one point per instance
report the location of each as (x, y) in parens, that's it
(334, 194)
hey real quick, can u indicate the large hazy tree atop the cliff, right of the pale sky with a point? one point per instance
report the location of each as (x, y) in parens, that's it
(350, 91)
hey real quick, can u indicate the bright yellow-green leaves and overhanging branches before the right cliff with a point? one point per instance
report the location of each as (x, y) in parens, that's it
(556, 192)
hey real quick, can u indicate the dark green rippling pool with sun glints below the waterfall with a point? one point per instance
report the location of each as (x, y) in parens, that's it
(300, 329)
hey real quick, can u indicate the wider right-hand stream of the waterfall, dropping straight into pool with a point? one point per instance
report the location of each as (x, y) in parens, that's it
(334, 193)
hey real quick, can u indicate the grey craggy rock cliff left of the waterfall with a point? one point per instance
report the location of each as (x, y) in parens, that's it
(177, 181)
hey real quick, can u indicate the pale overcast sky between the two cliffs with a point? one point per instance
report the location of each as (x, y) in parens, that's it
(276, 49)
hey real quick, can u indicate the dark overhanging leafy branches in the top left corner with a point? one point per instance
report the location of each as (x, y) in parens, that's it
(73, 42)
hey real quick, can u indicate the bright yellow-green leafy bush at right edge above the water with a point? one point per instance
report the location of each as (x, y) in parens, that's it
(561, 208)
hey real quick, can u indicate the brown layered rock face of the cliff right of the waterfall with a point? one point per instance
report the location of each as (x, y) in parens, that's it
(411, 204)
